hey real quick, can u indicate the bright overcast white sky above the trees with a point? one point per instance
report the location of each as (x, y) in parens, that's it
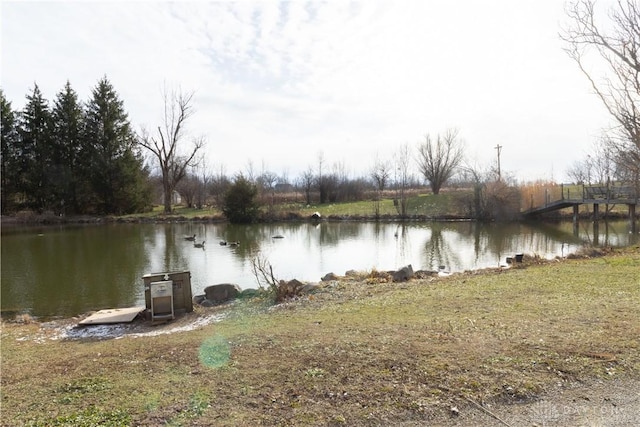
(276, 84)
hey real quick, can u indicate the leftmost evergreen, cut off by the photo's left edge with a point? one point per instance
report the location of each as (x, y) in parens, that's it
(9, 158)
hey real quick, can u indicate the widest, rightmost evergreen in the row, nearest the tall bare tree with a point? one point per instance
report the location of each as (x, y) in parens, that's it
(119, 180)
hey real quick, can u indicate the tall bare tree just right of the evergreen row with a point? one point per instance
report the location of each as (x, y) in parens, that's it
(167, 143)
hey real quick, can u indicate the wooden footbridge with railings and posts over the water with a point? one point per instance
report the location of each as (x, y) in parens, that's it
(596, 195)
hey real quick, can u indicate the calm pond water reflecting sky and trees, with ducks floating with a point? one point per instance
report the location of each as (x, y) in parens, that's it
(66, 271)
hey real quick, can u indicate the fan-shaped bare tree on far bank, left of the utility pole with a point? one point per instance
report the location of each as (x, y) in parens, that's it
(437, 160)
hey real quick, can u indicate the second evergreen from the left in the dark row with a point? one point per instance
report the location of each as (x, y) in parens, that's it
(34, 151)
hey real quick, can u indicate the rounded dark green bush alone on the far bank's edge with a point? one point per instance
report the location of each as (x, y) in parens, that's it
(240, 202)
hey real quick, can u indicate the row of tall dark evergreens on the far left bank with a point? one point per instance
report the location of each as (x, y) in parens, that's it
(72, 157)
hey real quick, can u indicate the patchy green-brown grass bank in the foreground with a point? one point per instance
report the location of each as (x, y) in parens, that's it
(360, 352)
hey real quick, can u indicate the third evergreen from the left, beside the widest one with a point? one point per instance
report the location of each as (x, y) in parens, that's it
(66, 148)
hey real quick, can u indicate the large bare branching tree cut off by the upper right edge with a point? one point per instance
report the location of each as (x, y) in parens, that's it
(612, 46)
